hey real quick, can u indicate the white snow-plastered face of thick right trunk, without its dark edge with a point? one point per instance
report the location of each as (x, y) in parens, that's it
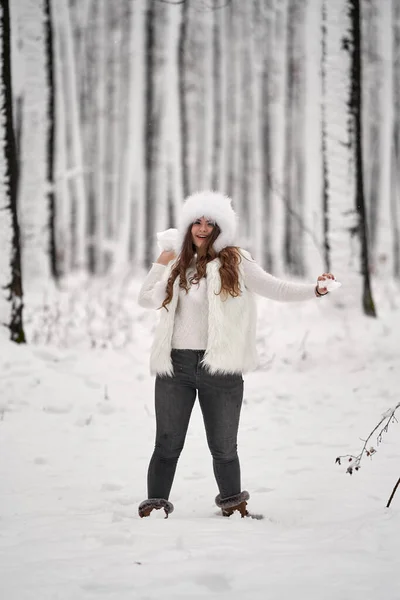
(342, 218)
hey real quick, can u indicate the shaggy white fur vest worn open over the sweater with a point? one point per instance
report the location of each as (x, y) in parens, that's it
(231, 346)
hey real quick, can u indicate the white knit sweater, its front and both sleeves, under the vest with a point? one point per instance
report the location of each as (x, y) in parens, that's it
(191, 317)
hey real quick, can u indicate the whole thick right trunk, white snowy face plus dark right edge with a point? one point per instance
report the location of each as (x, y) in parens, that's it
(347, 227)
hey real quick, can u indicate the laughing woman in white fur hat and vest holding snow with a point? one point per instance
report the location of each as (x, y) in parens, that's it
(204, 342)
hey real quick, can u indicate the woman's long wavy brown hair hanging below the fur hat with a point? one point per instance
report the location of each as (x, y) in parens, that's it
(229, 271)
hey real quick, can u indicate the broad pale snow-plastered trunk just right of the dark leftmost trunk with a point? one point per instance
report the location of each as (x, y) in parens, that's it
(33, 185)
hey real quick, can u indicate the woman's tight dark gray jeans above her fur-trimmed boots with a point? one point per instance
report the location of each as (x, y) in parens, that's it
(220, 398)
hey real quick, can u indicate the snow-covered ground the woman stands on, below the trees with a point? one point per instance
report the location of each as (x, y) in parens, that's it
(76, 434)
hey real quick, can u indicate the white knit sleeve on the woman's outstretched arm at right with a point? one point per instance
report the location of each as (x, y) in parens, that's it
(260, 282)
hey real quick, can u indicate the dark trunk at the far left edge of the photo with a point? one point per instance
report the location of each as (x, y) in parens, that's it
(11, 298)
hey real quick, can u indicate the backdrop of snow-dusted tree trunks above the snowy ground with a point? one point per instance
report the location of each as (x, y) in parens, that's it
(113, 112)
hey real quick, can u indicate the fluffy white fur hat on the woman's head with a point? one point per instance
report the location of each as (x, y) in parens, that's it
(211, 205)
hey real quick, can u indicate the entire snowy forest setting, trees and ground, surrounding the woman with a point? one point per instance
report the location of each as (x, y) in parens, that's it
(112, 112)
